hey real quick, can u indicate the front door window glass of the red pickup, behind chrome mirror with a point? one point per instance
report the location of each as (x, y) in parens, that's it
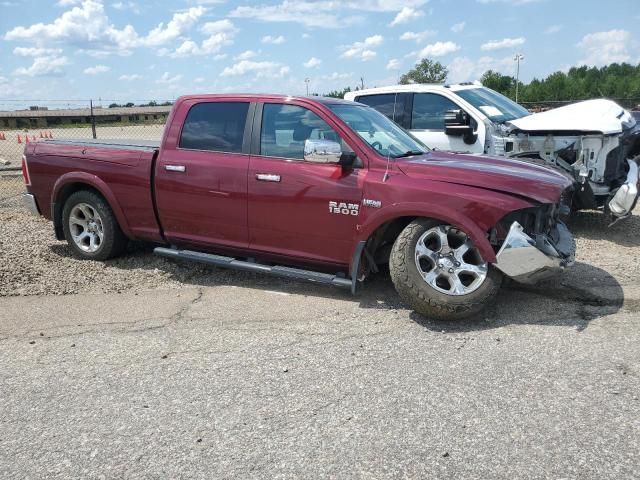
(286, 127)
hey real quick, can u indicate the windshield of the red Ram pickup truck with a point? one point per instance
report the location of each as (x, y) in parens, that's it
(384, 136)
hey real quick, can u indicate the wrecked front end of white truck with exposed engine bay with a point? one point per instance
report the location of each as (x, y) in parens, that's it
(595, 143)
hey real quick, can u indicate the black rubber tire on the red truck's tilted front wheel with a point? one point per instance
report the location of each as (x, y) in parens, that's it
(421, 296)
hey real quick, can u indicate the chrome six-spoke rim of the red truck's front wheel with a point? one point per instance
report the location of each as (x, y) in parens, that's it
(449, 262)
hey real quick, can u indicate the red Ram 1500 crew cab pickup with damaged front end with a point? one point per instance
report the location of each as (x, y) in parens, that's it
(313, 188)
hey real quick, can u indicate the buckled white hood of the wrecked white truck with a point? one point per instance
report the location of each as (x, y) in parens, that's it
(599, 115)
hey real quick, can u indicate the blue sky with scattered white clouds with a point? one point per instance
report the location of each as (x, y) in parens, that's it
(136, 50)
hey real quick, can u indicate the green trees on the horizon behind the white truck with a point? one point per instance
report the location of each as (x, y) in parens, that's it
(619, 81)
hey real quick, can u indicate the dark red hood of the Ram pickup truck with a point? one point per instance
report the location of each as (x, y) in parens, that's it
(516, 177)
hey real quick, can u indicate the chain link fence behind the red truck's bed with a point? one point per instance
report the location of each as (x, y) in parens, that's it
(65, 120)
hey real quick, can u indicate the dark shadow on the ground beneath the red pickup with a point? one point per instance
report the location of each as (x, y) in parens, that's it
(584, 293)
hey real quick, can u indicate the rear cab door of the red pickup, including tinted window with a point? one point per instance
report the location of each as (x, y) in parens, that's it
(201, 174)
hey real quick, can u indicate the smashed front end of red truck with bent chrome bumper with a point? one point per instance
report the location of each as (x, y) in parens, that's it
(536, 246)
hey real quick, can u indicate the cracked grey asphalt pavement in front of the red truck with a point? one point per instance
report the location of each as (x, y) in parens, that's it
(304, 381)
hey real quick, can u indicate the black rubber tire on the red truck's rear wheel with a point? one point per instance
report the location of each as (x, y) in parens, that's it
(114, 242)
